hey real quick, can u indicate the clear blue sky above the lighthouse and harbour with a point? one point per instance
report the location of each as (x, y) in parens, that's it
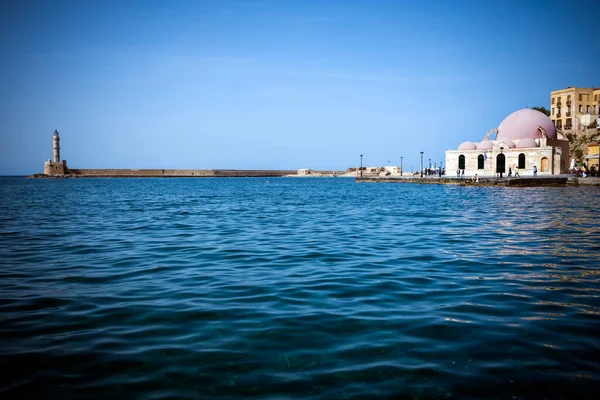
(277, 84)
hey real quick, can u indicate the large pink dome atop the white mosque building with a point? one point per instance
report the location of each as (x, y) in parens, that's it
(523, 124)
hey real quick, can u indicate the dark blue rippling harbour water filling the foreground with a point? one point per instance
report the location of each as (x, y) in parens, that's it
(297, 288)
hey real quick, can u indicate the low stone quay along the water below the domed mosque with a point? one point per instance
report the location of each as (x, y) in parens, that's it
(514, 182)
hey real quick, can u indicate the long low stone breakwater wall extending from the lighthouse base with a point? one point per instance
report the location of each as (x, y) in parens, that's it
(166, 173)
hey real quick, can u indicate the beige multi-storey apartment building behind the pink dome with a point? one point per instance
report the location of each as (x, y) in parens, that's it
(575, 108)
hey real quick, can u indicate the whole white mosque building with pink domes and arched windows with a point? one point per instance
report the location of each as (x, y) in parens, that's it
(524, 139)
